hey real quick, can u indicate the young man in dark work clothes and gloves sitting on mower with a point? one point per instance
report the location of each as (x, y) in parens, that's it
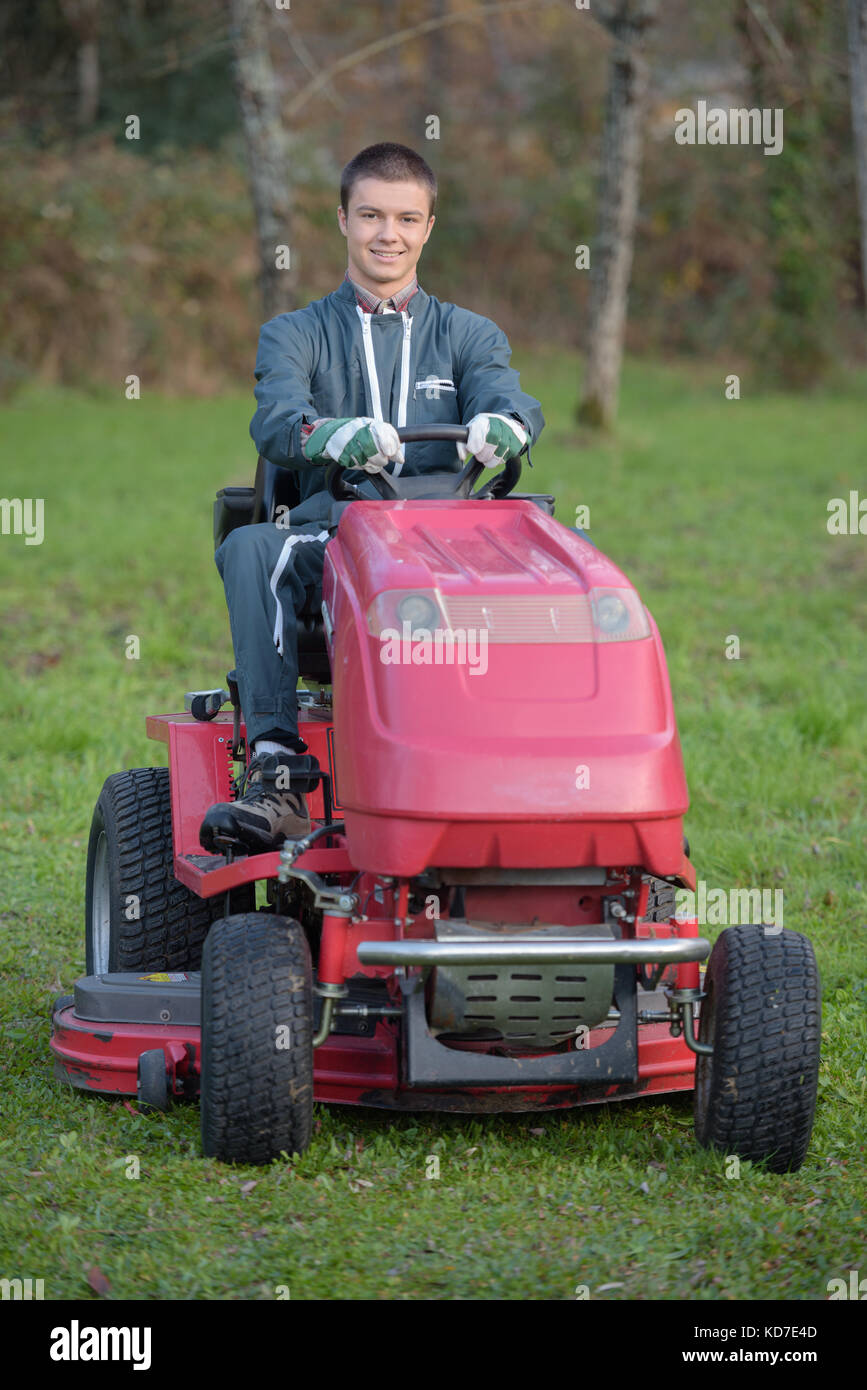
(334, 383)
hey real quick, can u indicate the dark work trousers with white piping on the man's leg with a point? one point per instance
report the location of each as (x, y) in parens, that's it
(270, 573)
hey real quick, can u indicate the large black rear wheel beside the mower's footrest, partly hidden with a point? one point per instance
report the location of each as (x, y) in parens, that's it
(138, 915)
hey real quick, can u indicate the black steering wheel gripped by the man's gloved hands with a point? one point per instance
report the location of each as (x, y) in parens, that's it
(429, 486)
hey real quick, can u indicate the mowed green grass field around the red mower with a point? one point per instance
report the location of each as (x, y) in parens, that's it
(718, 514)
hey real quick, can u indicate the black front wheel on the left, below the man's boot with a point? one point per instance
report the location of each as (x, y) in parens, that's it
(256, 1039)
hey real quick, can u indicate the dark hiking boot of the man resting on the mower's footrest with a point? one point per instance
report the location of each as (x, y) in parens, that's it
(267, 812)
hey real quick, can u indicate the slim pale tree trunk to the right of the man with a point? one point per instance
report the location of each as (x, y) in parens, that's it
(619, 188)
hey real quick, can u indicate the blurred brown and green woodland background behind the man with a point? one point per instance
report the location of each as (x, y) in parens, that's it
(141, 255)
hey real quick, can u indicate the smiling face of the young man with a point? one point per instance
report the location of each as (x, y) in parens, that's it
(386, 229)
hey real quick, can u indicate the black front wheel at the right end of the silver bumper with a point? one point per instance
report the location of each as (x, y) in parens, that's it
(755, 1096)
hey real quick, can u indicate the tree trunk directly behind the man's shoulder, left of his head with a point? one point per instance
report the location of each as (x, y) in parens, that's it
(267, 151)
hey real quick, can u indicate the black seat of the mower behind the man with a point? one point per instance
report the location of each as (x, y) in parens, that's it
(276, 487)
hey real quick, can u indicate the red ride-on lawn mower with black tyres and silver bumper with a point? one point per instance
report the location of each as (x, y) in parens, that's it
(483, 917)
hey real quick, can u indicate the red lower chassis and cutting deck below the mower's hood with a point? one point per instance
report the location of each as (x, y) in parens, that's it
(348, 1070)
